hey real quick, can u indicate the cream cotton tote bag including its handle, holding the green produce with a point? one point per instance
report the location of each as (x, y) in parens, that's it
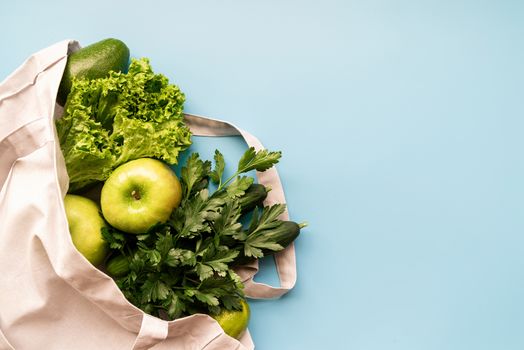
(51, 297)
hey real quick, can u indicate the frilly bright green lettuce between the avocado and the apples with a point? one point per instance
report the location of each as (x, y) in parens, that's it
(110, 121)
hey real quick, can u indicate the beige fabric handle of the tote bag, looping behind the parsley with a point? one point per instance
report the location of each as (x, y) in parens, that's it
(285, 260)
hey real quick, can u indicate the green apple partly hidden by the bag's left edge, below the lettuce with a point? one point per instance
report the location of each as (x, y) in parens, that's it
(85, 226)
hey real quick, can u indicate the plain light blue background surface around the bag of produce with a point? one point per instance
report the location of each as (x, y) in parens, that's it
(401, 127)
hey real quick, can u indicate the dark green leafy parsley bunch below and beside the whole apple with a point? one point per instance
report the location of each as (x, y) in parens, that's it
(185, 266)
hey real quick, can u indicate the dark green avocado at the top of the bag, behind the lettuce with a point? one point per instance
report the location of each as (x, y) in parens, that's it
(92, 62)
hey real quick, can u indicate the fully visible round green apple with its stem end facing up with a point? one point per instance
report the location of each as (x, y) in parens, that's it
(140, 194)
